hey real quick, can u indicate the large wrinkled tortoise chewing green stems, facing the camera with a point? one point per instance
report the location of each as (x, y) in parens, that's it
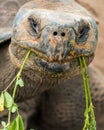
(57, 32)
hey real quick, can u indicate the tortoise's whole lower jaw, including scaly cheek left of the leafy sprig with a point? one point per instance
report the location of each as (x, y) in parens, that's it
(36, 61)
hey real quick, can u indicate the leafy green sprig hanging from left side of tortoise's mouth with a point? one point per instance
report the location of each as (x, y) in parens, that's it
(7, 101)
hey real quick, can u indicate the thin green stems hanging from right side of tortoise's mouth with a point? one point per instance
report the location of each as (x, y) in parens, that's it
(90, 123)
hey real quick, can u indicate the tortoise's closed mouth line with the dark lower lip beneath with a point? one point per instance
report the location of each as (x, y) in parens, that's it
(63, 66)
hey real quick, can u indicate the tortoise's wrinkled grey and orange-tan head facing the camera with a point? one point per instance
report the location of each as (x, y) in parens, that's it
(56, 36)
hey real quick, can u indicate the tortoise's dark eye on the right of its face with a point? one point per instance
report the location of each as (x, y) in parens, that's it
(83, 35)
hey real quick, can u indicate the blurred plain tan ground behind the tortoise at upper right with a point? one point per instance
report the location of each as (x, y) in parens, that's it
(96, 7)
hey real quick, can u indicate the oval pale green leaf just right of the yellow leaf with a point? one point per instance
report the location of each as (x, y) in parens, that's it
(8, 101)
